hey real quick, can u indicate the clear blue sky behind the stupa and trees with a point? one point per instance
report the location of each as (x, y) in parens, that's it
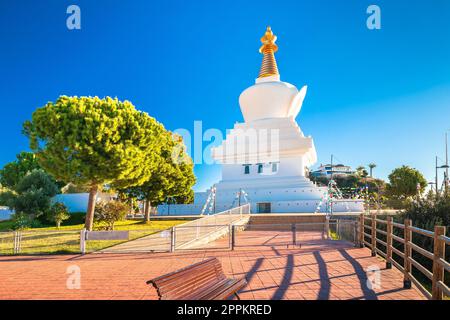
(378, 96)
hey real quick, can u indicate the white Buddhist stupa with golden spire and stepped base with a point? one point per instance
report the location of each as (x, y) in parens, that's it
(265, 159)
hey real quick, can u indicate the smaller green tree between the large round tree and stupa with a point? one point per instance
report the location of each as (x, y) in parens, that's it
(173, 178)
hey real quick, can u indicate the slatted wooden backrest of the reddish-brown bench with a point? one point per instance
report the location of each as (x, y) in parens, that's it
(186, 282)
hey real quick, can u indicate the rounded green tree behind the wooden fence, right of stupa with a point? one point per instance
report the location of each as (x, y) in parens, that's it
(403, 182)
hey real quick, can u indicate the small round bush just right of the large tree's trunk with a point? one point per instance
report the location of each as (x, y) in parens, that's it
(108, 213)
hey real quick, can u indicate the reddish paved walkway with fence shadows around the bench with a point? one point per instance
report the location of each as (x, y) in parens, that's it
(319, 269)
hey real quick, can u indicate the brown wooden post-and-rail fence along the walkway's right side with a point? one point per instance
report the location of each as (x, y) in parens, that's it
(439, 264)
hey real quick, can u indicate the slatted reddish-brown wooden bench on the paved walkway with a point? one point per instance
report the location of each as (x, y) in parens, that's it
(201, 281)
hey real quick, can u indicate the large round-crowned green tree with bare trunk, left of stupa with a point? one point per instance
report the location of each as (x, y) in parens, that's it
(91, 142)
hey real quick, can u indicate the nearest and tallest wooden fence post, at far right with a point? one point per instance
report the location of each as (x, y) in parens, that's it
(438, 269)
